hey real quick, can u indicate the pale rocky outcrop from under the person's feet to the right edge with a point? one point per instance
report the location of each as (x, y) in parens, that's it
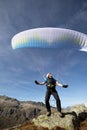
(70, 121)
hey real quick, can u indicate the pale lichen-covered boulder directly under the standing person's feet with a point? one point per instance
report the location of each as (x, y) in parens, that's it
(55, 120)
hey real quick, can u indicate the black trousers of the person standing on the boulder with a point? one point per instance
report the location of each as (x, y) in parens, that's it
(47, 97)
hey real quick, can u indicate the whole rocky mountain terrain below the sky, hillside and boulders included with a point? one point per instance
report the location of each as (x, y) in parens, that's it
(28, 115)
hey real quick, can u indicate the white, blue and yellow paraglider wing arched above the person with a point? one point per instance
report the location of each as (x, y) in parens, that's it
(49, 38)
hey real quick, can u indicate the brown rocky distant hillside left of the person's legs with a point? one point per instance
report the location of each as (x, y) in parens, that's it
(14, 112)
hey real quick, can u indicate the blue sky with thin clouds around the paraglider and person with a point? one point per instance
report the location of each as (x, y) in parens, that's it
(19, 68)
